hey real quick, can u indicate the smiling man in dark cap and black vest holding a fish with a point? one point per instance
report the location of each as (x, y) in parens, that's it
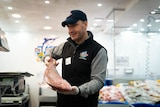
(84, 63)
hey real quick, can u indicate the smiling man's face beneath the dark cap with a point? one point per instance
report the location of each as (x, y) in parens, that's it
(77, 31)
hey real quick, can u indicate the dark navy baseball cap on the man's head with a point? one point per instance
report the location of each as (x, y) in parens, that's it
(75, 16)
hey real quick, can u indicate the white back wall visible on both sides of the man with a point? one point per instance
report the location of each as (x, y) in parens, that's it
(22, 56)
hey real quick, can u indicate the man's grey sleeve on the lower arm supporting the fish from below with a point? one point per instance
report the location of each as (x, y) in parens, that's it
(98, 74)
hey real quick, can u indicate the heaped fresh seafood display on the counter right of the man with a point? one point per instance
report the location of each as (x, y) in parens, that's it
(147, 92)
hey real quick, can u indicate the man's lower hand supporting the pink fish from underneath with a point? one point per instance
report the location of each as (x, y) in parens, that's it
(73, 91)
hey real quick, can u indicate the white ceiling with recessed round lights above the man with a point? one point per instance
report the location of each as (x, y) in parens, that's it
(126, 12)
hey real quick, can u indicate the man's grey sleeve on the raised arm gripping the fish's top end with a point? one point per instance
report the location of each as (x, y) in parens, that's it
(55, 52)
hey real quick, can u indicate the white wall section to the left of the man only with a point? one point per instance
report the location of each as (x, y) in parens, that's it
(22, 58)
